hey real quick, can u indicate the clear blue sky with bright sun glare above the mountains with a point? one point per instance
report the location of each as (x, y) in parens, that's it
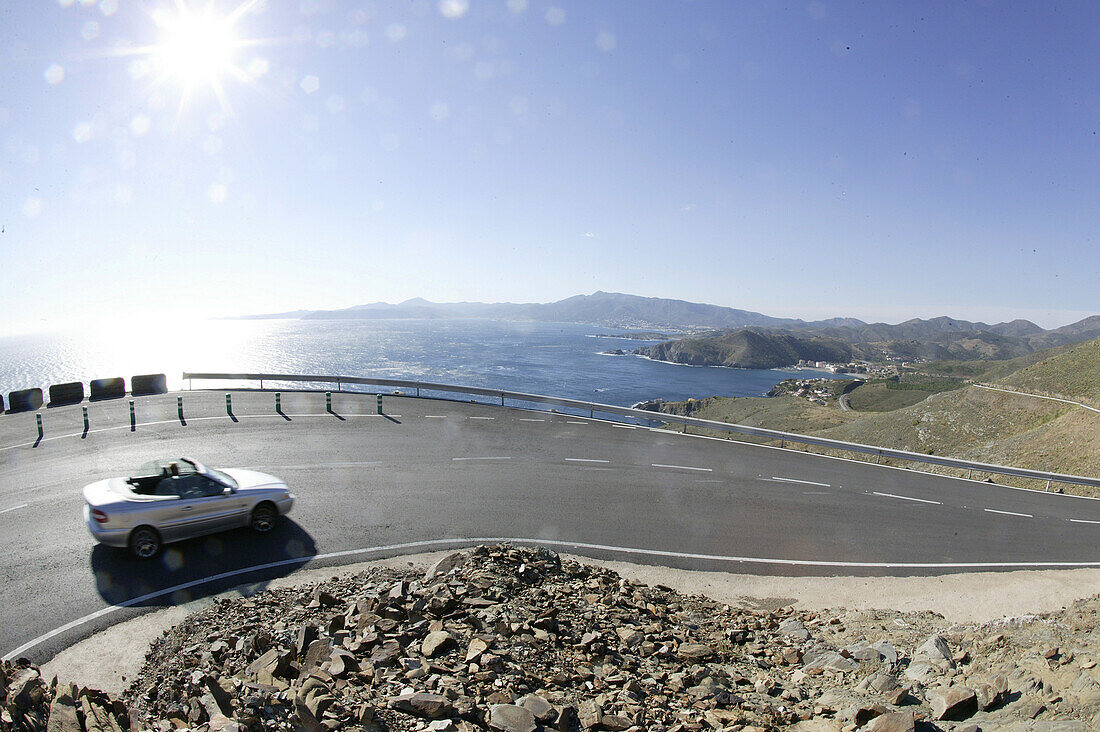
(882, 161)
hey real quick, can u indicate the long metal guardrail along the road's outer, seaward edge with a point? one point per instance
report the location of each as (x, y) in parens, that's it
(593, 408)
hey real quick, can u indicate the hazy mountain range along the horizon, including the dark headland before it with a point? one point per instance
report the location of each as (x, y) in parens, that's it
(771, 341)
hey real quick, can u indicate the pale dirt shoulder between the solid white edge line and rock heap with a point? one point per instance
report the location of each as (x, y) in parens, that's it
(109, 660)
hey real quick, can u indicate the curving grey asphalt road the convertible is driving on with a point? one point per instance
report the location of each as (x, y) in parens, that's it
(434, 475)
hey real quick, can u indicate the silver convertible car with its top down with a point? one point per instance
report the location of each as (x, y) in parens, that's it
(174, 500)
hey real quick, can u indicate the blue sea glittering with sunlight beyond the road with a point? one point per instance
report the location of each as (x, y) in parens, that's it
(540, 358)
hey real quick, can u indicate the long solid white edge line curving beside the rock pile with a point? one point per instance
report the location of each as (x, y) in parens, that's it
(570, 545)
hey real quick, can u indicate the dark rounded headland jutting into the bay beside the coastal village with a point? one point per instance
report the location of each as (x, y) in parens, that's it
(750, 349)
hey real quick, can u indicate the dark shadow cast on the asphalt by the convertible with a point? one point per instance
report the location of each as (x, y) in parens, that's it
(201, 567)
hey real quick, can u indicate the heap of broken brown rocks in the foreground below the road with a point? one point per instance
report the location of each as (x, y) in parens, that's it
(518, 640)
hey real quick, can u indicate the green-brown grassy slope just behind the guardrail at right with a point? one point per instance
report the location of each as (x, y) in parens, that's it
(970, 422)
